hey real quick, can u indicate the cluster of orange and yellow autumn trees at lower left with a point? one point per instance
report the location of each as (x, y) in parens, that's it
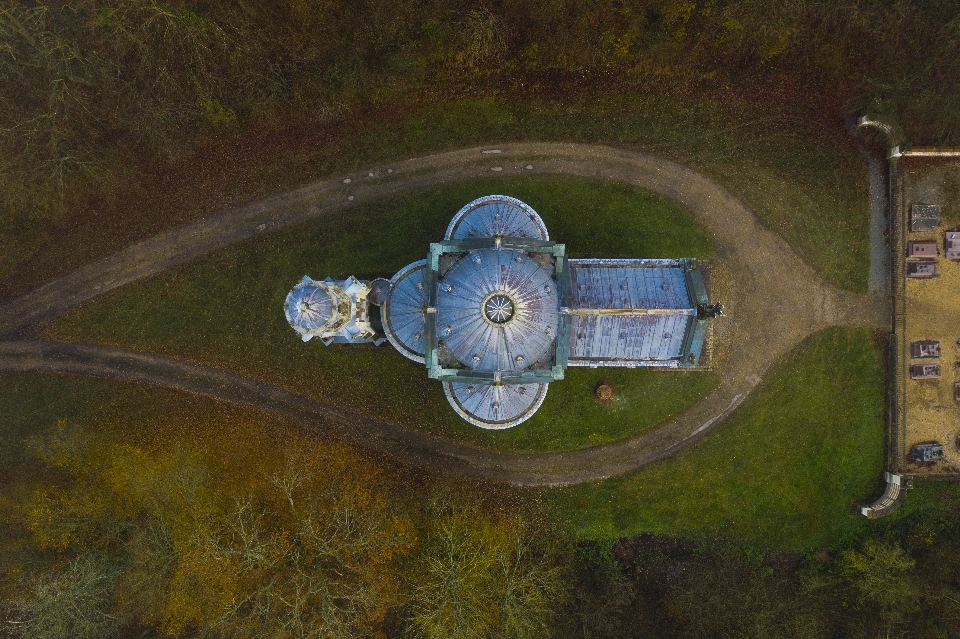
(253, 532)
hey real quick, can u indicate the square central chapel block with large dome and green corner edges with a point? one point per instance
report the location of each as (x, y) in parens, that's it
(492, 310)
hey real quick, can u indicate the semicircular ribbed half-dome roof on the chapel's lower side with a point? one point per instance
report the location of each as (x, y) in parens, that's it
(495, 407)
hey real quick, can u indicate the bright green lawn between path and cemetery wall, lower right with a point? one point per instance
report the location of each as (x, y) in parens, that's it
(783, 473)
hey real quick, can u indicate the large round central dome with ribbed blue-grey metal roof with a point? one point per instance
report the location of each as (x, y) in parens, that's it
(497, 310)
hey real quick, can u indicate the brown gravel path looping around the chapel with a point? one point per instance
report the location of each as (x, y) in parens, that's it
(772, 298)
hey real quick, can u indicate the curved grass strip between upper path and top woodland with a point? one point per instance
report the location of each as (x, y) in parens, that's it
(804, 181)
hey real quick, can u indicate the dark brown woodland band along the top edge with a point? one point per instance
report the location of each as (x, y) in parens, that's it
(86, 85)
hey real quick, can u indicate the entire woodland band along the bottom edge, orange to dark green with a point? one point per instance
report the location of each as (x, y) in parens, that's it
(226, 537)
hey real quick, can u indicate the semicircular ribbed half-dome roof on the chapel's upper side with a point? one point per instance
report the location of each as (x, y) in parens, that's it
(496, 215)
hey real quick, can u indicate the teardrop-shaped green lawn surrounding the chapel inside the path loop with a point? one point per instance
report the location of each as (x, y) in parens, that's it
(226, 310)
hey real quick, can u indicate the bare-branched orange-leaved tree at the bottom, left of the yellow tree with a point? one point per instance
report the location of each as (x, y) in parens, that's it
(311, 559)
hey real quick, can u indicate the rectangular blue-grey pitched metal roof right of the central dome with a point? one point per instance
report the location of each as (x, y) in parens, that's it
(636, 313)
